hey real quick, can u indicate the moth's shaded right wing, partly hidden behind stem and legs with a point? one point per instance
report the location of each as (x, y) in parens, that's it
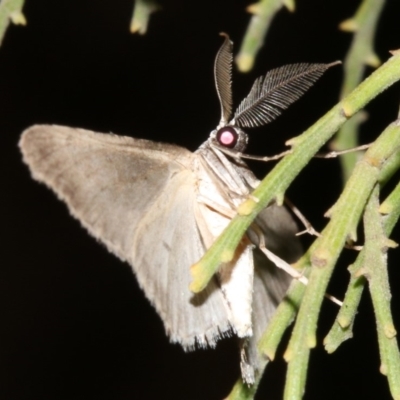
(270, 282)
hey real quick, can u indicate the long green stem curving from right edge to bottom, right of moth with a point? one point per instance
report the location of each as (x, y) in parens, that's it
(324, 252)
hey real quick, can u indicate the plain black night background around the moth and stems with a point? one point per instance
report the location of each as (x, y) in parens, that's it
(73, 322)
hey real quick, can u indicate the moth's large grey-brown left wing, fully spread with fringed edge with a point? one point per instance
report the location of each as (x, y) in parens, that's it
(137, 197)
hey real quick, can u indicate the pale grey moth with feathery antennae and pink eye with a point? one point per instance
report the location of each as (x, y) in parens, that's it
(159, 207)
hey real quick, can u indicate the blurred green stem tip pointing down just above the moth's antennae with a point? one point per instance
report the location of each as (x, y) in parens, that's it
(263, 13)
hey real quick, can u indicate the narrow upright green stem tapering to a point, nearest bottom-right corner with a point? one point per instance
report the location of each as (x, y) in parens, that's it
(375, 271)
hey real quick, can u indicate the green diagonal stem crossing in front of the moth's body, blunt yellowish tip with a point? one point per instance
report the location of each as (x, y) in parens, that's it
(275, 184)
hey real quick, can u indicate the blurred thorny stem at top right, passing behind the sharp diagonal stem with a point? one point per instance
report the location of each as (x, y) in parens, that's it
(361, 53)
